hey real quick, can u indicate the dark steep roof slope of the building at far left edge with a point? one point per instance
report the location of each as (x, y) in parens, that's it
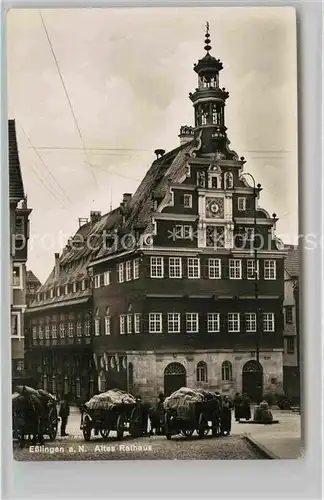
(16, 187)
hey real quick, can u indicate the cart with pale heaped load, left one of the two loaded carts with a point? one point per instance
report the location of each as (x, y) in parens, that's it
(114, 410)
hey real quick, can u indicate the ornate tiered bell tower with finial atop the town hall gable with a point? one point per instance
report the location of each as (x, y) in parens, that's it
(209, 103)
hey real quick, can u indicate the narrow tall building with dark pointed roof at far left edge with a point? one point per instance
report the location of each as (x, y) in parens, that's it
(19, 235)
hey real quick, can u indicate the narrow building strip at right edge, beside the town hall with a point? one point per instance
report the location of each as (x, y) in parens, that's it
(291, 357)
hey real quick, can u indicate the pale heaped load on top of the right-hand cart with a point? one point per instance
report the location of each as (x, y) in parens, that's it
(184, 401)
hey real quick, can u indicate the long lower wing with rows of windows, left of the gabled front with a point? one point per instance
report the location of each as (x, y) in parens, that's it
(59, 351)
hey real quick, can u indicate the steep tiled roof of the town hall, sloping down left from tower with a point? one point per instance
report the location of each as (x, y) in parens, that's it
(75, 258)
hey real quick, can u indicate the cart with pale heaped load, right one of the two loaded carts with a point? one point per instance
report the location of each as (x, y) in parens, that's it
(187, 411)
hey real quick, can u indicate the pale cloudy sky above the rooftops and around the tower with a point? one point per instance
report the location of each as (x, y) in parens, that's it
(128, 73)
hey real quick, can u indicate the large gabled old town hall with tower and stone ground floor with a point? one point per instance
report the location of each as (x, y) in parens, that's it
(178, 294)
